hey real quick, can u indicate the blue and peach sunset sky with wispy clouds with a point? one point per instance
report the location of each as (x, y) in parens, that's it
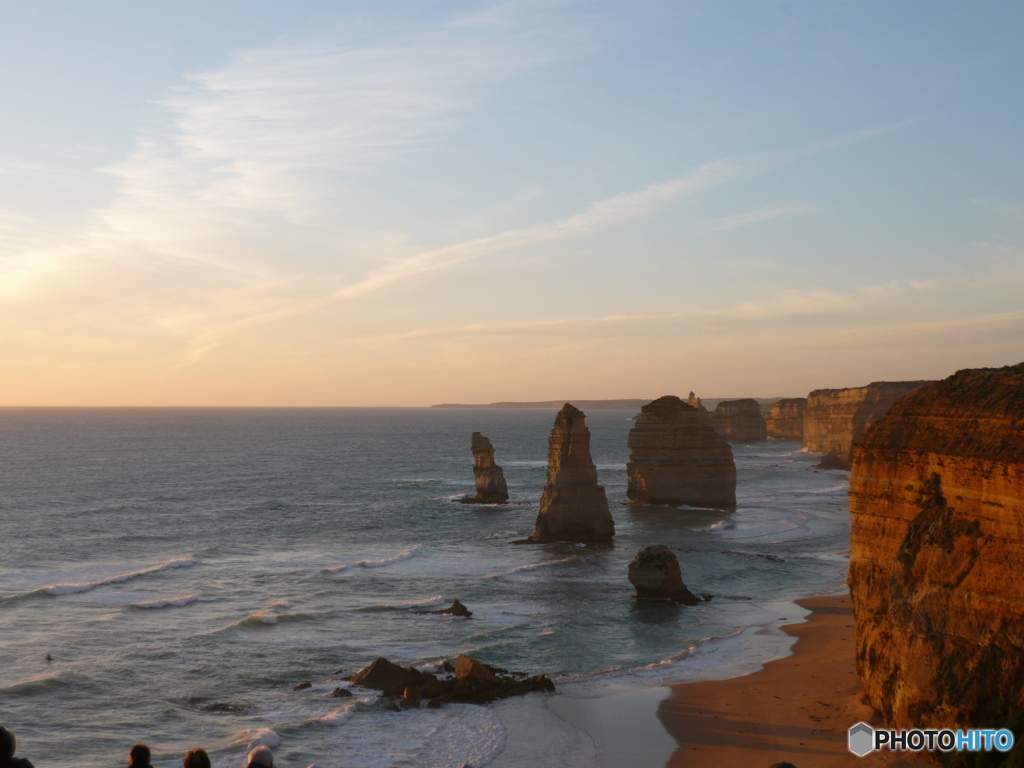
(408, 203)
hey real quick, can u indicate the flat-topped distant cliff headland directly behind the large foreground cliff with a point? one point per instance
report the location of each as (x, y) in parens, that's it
(834, 419)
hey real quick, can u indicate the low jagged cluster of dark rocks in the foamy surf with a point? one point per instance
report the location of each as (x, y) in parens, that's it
(467, 681)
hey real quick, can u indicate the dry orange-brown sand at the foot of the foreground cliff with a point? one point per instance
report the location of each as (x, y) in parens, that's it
(796, 709)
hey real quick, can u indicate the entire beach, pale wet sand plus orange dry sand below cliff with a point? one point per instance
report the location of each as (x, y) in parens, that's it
(796, 708)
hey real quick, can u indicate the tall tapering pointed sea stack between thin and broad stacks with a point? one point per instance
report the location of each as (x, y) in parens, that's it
(574, 506)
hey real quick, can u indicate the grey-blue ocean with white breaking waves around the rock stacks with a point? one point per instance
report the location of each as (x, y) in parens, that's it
(186, 569)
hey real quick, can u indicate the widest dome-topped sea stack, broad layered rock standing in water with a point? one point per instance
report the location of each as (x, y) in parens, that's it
(676, 457)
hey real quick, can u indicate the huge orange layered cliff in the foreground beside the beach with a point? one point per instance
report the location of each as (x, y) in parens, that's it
(936, 547)
